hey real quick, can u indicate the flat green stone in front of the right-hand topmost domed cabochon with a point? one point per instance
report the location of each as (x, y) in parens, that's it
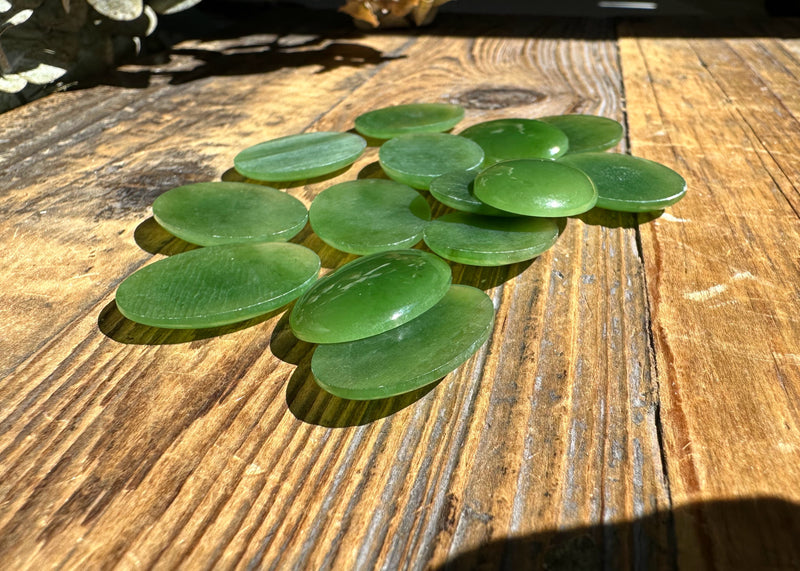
(488, 240)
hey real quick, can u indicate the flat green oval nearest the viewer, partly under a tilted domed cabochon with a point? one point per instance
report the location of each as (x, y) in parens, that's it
(410, 356)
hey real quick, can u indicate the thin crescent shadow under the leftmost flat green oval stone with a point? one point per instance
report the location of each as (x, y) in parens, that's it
(116, 326)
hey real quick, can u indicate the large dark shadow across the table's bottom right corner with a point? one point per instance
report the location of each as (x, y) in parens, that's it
(745, 534)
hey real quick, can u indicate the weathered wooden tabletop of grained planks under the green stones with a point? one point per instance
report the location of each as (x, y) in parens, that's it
(637, 405)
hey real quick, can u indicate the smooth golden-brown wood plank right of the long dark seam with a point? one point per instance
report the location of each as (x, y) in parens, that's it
(722, 275)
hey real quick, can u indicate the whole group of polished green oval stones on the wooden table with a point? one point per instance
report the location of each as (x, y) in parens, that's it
(390, 321)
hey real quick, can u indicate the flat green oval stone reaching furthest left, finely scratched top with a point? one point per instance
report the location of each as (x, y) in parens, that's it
(217, 285)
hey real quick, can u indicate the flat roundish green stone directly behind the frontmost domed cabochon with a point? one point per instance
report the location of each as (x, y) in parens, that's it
(369, 215)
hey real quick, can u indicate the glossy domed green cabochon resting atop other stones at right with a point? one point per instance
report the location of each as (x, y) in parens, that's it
(536, 188)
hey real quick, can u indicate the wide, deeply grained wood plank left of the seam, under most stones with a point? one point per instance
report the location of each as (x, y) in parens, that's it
(122, 444)
